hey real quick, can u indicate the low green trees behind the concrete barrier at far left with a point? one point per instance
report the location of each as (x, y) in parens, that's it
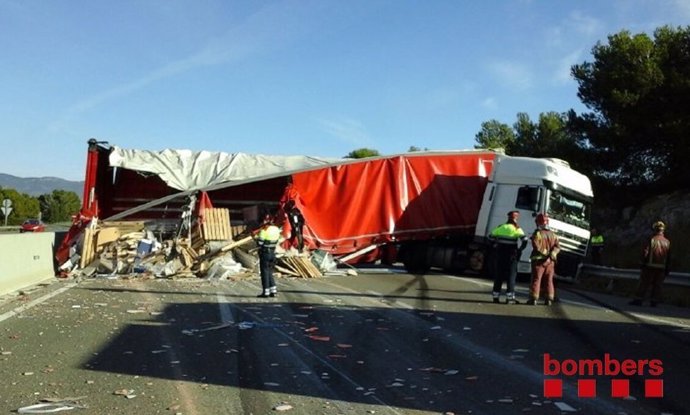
(58, 206)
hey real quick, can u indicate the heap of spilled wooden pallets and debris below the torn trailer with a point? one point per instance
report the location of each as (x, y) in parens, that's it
(202, 243)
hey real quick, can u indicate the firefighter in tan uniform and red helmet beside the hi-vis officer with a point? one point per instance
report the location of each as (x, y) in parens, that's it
(545, 248)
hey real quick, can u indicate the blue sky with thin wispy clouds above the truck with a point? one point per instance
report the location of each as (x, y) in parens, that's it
(317, 78)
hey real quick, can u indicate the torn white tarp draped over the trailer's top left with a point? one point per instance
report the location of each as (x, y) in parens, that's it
(190, 170)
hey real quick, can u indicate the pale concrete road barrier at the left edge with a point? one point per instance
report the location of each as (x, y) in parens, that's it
(26, 259)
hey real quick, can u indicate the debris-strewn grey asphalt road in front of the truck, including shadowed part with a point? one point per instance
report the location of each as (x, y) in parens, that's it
(382, 342)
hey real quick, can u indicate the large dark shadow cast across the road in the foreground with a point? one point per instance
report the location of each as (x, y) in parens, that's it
(417, 359)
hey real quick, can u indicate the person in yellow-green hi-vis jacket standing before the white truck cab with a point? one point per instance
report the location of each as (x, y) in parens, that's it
(508, 242)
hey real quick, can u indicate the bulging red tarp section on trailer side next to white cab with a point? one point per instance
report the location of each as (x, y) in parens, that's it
(351, 206)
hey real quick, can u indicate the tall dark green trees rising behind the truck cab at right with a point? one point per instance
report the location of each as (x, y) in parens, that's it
(634, 139)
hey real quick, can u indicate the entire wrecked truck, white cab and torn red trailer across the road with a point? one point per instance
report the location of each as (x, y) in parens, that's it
(424, 208)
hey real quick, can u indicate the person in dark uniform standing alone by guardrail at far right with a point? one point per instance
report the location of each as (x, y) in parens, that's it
(656, 265)
